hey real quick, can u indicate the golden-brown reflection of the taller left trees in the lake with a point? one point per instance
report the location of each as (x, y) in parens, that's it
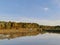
(15, 35)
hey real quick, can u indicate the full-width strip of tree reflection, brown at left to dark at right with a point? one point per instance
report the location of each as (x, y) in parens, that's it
(23, 34)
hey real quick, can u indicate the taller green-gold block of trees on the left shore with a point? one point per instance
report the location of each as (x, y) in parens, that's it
(17, 25)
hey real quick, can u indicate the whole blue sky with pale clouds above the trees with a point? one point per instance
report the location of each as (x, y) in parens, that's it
(46, 12)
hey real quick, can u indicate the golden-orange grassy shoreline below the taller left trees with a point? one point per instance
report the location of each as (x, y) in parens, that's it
(21, 30)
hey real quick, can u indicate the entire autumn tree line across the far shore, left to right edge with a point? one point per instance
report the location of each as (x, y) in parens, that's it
(17, 25)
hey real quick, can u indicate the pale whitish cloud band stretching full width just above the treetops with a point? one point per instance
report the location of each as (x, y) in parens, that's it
(31, 20)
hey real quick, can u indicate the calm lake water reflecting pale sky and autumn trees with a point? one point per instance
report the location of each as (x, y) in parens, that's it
(30, 39)
